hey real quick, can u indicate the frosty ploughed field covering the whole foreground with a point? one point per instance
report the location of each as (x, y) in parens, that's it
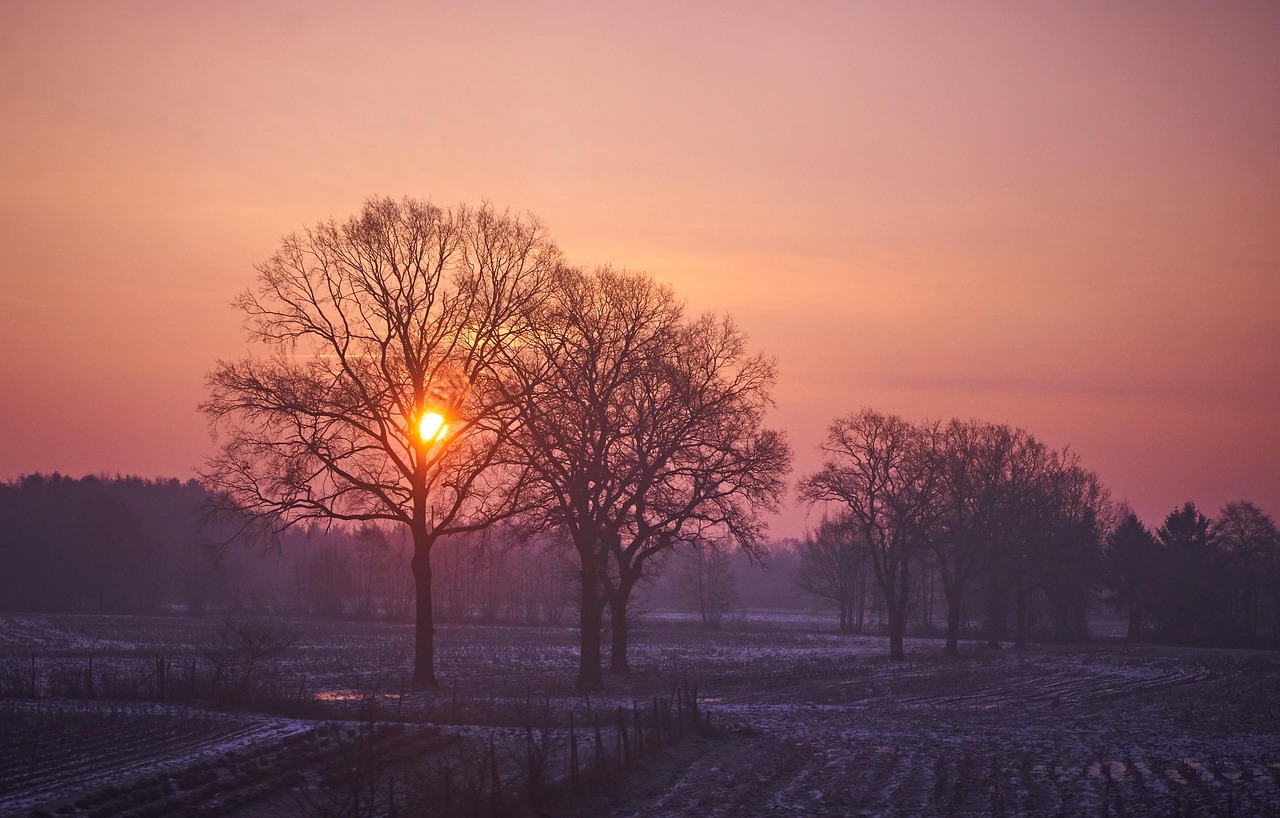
(113, 716)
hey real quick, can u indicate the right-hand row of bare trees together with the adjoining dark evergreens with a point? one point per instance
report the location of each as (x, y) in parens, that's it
(1016, 533)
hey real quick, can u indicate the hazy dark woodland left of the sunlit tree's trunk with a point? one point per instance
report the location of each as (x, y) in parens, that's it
(134, 546)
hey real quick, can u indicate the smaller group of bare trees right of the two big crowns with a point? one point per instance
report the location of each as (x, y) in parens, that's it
(1002, 522)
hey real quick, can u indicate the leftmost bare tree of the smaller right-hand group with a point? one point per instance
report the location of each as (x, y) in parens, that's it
(881, 472)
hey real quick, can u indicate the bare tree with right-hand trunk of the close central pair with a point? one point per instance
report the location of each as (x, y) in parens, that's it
(708, 467)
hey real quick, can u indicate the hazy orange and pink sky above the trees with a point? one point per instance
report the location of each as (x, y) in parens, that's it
(1064, 217)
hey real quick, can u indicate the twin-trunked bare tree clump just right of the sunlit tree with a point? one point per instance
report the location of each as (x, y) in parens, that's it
(644, 431)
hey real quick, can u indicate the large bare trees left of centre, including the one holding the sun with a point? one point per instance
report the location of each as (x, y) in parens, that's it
(445, 371)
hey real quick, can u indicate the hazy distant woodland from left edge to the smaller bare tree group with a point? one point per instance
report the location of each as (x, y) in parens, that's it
(131, 546)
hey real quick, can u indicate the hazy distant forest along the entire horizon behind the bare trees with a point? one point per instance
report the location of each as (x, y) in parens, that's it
(134, 546)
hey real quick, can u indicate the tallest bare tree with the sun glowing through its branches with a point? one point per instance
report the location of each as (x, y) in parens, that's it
(382, 394)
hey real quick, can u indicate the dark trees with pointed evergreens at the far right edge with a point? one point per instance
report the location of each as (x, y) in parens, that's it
(1199, 581)
